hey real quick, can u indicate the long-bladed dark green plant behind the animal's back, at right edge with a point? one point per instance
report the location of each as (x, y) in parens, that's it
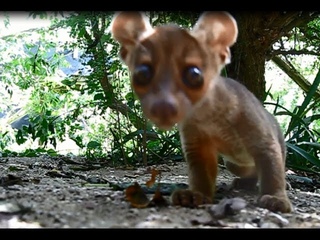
(302, 134)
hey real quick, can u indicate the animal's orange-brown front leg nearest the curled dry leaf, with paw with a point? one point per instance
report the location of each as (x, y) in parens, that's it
(202, 171)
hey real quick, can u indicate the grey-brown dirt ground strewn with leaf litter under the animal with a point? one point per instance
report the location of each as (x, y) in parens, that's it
(64, 192)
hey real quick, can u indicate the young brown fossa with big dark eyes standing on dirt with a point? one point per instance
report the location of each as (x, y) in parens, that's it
(176, 75)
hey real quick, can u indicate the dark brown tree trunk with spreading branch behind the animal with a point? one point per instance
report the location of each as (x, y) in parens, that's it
(258, 31)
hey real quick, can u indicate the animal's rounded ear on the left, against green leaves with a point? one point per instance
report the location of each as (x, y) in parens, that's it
(128, 28)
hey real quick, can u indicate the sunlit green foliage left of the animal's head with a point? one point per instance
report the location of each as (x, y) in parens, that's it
(98, 111)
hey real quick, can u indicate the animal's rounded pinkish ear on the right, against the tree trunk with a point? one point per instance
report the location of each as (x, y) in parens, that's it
(218, 31)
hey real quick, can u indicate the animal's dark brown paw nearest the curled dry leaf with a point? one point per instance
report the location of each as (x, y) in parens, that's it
(188, 198)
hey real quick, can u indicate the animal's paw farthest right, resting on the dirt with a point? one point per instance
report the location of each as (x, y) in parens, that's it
(275, 203)
